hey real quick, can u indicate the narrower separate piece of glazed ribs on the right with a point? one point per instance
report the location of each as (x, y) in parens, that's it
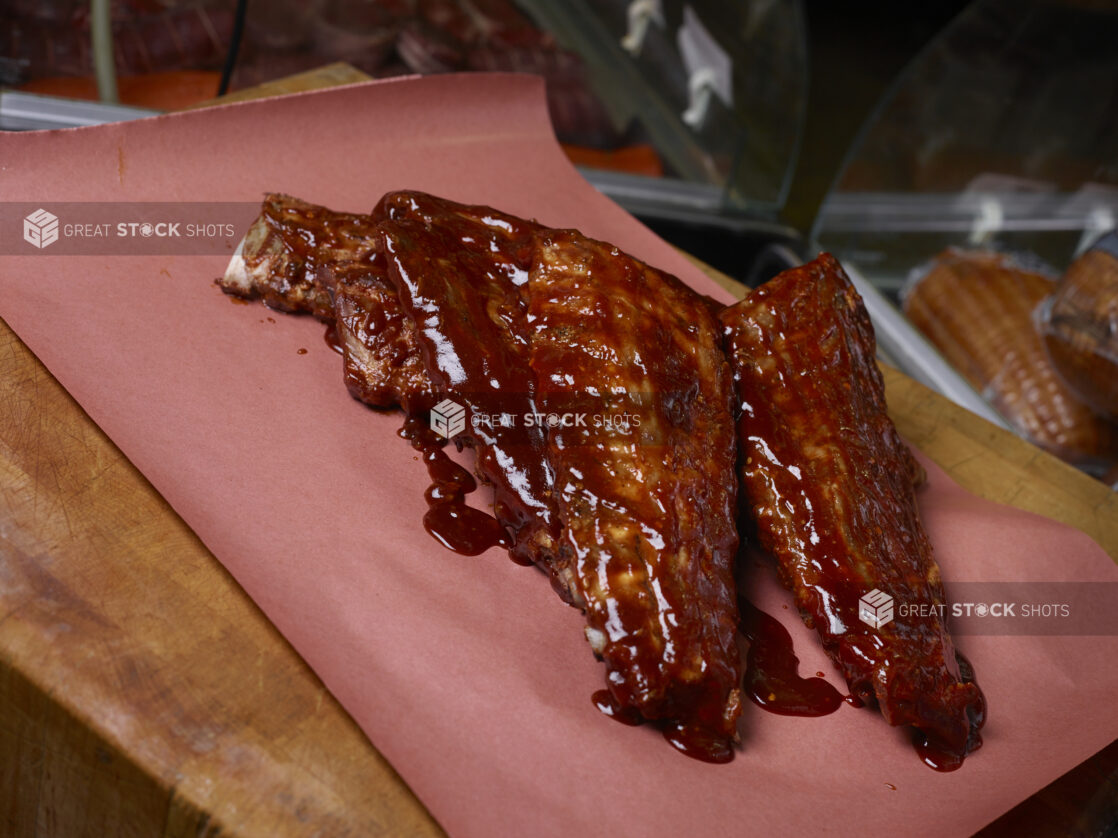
(829, 483)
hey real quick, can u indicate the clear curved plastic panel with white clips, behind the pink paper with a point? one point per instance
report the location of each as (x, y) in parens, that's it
(719, 90)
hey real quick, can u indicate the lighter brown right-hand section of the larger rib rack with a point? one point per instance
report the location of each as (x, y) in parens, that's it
(646, 490)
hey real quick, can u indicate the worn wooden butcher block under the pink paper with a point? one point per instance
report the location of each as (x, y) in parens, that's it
(144, 694)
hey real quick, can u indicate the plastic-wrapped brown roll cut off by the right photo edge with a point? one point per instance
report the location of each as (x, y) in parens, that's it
(1079, 325)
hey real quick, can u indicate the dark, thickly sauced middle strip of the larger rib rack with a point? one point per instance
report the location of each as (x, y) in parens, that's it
(460, 272)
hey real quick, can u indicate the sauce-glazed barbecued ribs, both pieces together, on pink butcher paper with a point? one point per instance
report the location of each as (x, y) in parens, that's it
(633, 510)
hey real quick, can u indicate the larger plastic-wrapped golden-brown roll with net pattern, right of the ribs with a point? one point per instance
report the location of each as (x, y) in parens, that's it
(978, 309)
